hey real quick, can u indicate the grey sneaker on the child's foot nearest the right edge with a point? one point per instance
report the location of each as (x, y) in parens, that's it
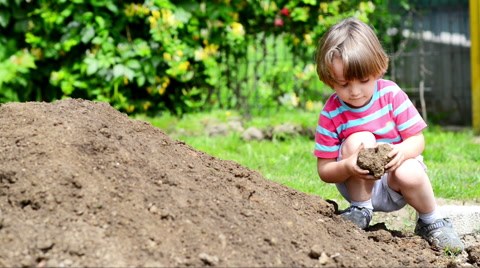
(440, 235)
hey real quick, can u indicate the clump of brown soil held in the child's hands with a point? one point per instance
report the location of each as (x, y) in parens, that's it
(374, 159)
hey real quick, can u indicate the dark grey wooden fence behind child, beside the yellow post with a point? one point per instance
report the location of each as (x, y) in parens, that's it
(432, 60)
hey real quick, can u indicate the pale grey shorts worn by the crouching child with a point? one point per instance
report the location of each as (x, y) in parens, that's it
(383, 197)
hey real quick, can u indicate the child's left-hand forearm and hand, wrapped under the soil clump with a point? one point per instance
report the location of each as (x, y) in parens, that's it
(332, 171)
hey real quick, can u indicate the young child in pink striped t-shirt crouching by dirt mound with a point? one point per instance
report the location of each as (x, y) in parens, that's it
(366, 110)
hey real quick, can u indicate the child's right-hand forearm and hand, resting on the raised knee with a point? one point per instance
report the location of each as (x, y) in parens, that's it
(409, 148)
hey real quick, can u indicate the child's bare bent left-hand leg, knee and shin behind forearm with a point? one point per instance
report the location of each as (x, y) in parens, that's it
(358, 189)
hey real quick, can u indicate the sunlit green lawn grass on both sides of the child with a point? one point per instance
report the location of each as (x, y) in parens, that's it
(453, 158)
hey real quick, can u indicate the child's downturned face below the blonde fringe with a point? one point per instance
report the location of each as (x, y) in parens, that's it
(354, 93)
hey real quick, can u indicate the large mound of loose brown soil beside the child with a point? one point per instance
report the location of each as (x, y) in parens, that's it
(82, 184)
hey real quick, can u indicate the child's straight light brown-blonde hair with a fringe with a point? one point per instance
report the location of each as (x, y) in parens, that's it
(355, 43)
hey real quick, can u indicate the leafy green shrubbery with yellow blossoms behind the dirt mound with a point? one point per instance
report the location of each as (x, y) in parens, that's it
(161, 55)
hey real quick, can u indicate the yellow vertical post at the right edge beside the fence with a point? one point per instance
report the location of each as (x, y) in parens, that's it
(475, 62)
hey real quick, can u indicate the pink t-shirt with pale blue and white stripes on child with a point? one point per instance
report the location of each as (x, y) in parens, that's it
(390, 116)
